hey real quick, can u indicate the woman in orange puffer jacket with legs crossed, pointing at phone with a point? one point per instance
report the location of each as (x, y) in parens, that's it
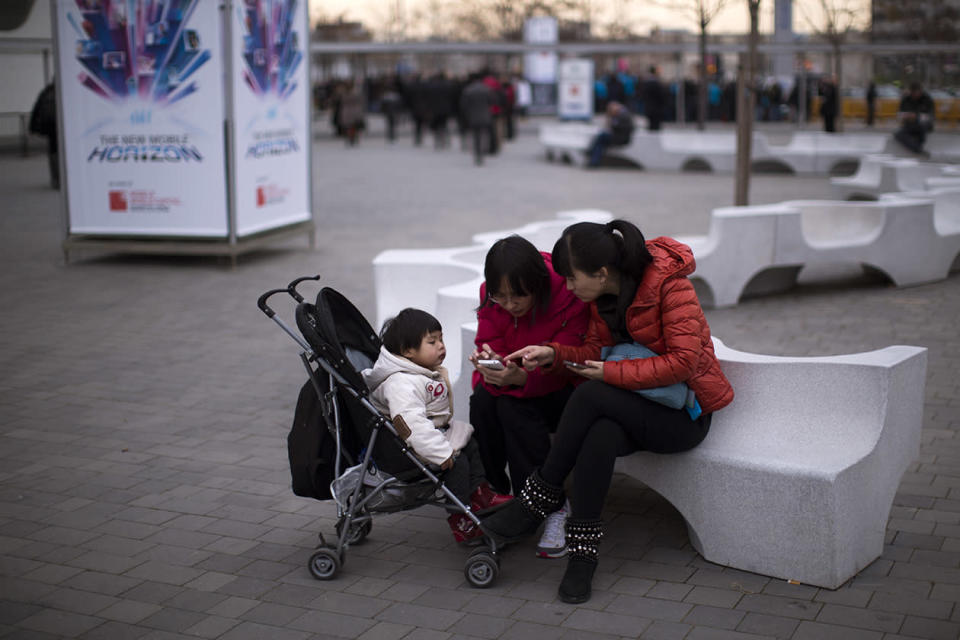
(638, 292)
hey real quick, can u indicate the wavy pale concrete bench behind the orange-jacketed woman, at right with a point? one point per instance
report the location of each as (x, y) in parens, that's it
(762, 249)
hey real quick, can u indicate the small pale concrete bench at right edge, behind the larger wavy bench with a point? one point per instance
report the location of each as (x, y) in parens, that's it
(884, 174)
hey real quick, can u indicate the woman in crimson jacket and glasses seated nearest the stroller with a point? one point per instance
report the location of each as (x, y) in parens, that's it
(514, 410)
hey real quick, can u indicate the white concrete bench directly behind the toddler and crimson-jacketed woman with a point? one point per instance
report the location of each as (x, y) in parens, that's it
(446, 282)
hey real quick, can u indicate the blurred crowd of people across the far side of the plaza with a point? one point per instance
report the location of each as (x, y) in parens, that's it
(482, 108)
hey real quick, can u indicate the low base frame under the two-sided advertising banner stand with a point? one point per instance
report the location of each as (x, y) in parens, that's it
(186, 246)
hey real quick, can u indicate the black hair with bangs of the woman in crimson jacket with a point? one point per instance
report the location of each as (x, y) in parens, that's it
(517, 261)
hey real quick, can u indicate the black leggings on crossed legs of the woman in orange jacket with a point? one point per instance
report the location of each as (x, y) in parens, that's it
(602, 422)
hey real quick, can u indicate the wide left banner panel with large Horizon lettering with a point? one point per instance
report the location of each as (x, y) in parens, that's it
(142, 98)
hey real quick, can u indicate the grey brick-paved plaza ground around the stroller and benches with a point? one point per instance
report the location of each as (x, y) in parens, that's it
(144, 403)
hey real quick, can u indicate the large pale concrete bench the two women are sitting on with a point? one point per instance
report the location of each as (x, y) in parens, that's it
(797, 476)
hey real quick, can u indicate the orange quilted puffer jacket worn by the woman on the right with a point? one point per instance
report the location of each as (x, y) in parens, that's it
(665, 316)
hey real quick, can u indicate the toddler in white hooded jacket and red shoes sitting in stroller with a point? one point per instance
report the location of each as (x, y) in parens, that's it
(409, 385)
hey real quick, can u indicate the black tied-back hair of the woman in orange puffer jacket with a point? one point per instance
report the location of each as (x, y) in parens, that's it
(589, 246)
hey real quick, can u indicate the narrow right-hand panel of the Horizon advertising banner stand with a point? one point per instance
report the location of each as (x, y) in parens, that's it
(271, 114)
